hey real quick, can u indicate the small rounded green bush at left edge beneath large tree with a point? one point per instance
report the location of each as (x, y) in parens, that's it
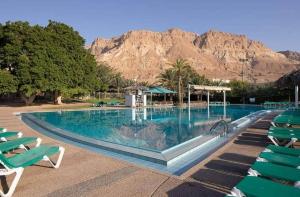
(8, 84)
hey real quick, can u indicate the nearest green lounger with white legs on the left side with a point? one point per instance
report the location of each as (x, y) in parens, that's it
(18, 162)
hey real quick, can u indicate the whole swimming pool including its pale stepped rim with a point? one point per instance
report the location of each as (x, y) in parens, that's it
(159, 135)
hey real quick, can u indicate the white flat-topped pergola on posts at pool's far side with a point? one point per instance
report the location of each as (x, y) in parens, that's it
(208, 89)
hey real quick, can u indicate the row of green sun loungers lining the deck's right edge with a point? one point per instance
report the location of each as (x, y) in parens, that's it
(276, 171)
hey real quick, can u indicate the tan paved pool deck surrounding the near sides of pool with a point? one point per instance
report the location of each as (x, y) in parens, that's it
(85, 173)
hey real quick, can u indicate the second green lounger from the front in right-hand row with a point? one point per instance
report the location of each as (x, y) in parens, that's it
(270, 170)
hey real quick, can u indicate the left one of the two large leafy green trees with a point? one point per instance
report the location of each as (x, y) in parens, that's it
(20, 49)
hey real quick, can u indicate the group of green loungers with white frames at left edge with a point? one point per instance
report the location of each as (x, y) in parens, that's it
(16, 161)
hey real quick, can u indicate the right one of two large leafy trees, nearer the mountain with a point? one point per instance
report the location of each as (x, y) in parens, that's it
(75, 66)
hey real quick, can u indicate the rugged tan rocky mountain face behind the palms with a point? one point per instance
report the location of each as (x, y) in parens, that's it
(143, 55)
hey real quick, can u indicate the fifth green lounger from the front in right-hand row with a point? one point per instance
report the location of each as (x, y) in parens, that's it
(288, 137)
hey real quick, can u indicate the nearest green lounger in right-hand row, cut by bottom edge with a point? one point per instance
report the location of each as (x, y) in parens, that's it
(259, 187)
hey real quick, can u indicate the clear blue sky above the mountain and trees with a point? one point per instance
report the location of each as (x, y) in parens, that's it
(276, 23)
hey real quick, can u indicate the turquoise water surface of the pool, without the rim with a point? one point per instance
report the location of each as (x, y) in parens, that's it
(153, 129)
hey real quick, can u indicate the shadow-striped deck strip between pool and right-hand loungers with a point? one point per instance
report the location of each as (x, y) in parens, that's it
(222, 173)
